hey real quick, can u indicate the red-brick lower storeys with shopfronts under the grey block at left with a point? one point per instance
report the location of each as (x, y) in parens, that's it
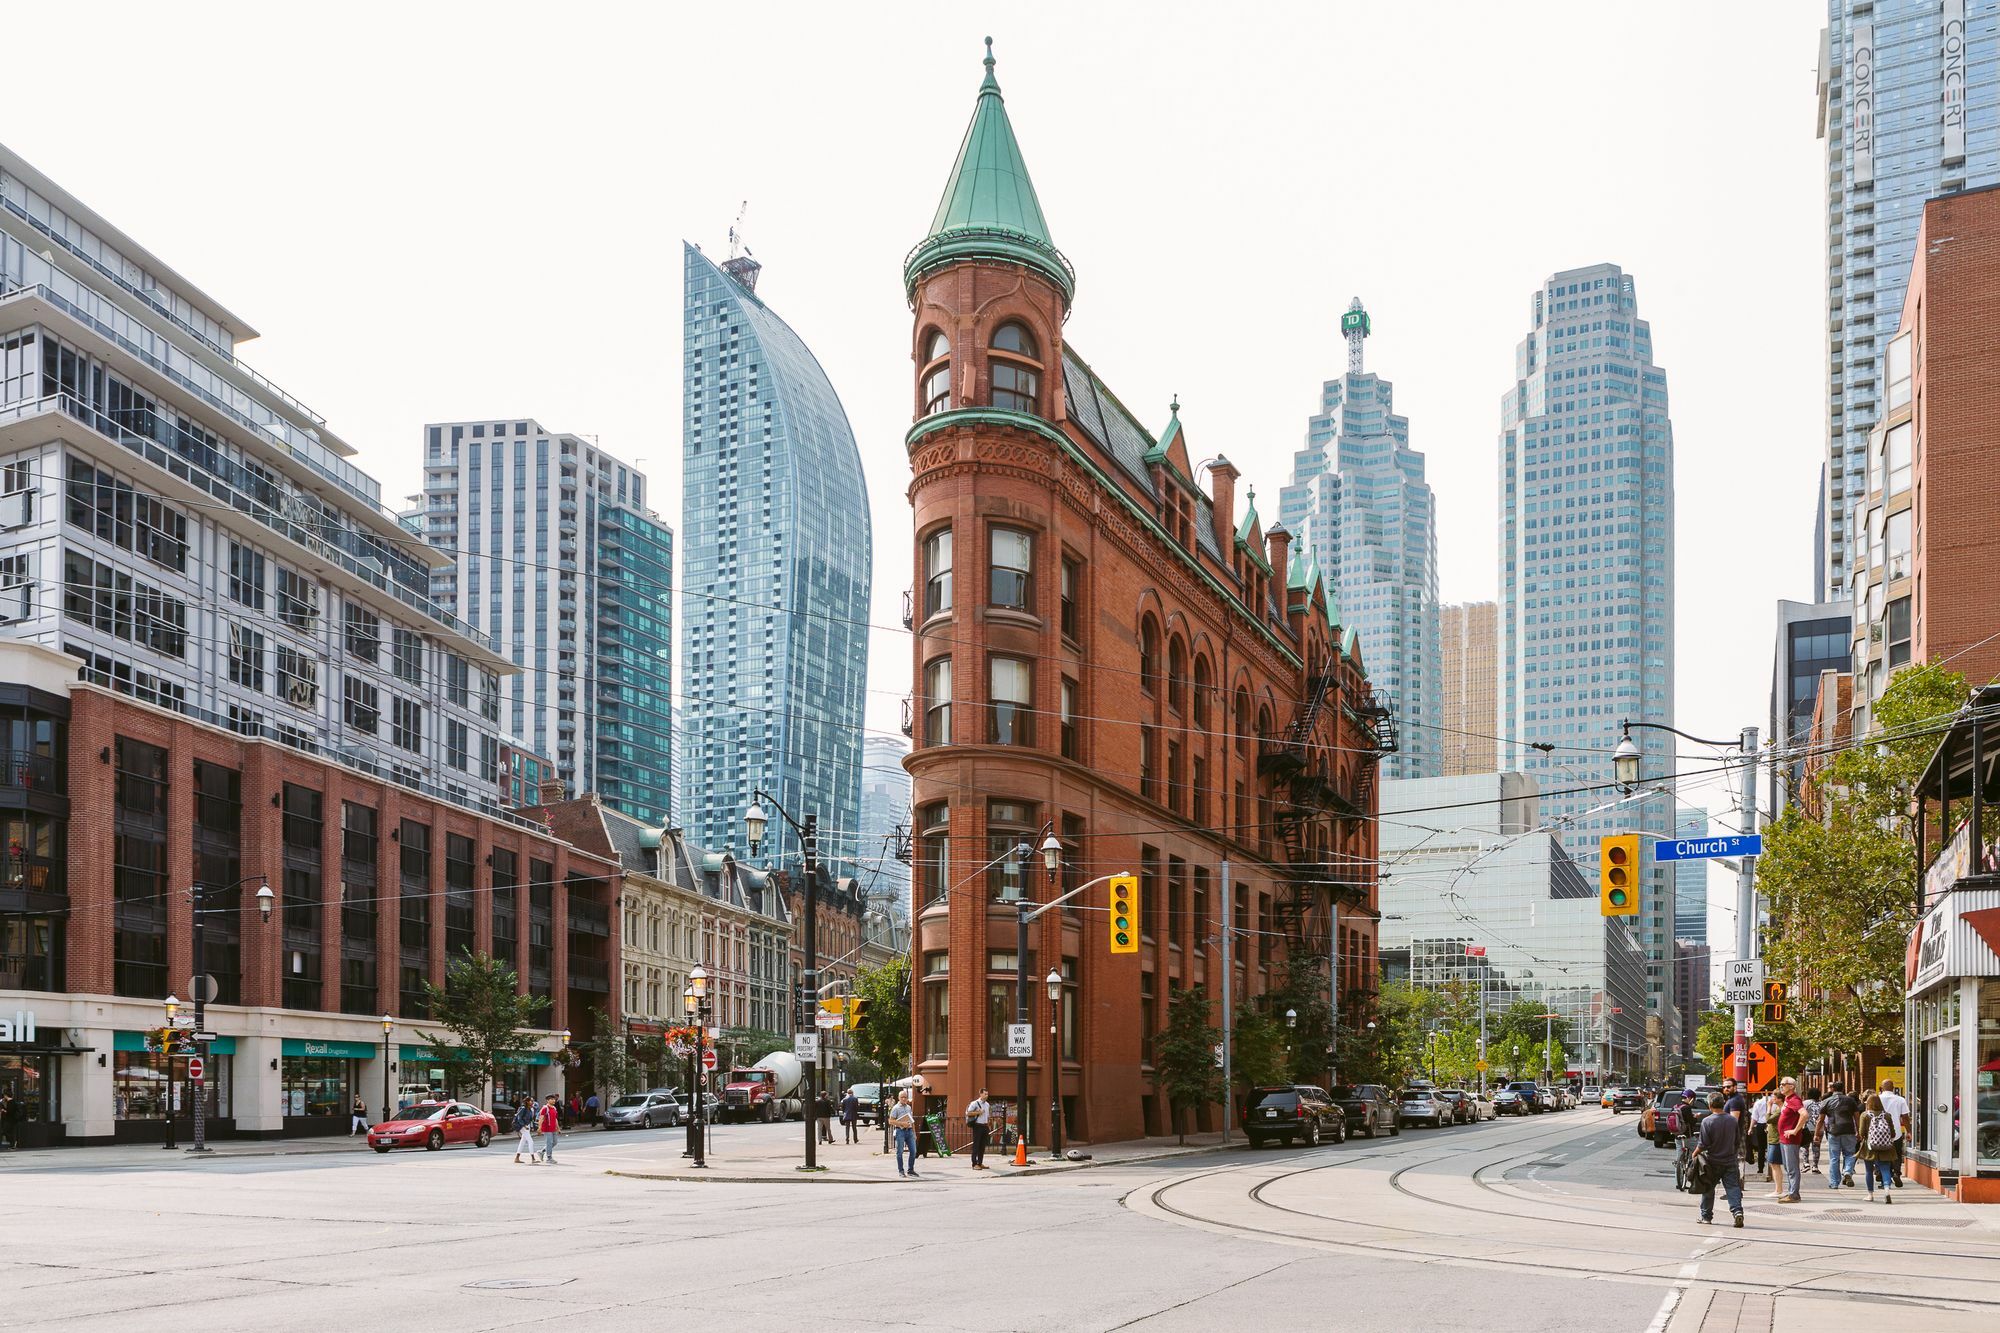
(115, 810)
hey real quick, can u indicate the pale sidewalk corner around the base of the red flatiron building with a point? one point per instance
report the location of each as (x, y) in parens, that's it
(865, 1164)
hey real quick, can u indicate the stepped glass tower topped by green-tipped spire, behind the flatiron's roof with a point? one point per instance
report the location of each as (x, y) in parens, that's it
(1361, 507)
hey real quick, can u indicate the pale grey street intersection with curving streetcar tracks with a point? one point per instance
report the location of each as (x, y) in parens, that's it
(1569, 1220)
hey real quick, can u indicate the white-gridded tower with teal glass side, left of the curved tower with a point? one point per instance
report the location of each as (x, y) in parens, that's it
(561, 559)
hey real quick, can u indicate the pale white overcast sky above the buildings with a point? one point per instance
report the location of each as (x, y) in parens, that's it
(457, 211)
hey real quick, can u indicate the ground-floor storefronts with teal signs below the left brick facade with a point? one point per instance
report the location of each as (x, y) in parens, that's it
(89, 1070)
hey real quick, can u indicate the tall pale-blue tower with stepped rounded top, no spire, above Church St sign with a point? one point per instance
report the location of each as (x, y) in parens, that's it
(1587, 575)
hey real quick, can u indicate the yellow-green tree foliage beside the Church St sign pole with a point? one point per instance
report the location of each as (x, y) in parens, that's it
(1839, 890)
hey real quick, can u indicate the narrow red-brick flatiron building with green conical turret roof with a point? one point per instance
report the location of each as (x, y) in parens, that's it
(1103, 651)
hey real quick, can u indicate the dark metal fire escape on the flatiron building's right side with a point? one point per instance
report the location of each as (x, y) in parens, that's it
(1311, 798)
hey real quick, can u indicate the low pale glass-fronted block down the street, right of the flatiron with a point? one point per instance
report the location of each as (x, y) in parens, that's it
(1505, 888)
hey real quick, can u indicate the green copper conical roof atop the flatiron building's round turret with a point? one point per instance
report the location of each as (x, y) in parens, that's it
(989, 209)
